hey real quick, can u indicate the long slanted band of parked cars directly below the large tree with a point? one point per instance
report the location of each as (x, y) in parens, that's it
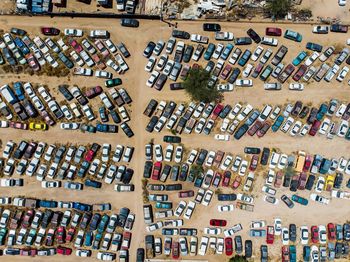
(240, 119)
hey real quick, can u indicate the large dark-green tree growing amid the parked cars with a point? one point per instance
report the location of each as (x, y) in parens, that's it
(196, 86)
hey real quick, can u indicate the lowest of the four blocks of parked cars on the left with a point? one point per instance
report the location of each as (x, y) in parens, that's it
(33, 227)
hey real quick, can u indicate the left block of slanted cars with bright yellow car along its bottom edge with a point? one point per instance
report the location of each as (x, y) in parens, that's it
(28, 104)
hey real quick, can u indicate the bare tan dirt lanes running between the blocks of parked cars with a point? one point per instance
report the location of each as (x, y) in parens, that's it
(134, 81)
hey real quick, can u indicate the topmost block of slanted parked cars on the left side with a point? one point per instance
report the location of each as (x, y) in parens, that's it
(37, 52)
